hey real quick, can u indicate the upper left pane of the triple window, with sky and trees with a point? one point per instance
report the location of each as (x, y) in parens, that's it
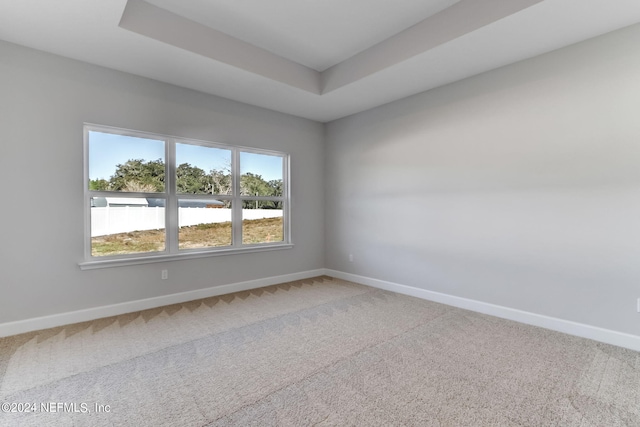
(125, 163)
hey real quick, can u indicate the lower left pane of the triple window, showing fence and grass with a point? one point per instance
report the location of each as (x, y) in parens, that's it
(126, 225)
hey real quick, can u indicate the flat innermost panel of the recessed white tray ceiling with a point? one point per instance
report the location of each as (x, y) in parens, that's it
(317, 34)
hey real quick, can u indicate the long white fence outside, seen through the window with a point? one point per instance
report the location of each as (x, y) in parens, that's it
(111, 220)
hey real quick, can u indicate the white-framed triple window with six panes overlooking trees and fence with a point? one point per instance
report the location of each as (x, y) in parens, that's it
(152, 197)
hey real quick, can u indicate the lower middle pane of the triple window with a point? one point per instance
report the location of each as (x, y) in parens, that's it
(204, 223)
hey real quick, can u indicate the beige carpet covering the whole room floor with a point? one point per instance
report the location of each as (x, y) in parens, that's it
(319, 352)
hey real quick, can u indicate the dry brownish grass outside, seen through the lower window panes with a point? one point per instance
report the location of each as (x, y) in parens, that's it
(197, 236)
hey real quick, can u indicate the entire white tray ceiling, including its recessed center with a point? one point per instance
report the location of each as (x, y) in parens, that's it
(316, 59)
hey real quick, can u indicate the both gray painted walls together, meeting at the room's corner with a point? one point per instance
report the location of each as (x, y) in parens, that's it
(519, 187)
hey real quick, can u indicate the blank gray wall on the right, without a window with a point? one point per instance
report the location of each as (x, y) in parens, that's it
(519, 187)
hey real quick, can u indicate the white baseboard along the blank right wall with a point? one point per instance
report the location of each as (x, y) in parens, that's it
(608, 336)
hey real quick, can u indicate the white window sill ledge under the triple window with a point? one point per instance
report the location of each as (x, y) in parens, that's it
(148, 259)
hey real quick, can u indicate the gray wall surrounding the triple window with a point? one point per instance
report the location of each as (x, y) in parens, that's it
(44, 100)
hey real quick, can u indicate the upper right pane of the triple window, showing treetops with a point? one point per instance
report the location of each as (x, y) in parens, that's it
(261, 175)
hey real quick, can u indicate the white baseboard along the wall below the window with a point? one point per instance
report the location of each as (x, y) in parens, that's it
(45, 322)
